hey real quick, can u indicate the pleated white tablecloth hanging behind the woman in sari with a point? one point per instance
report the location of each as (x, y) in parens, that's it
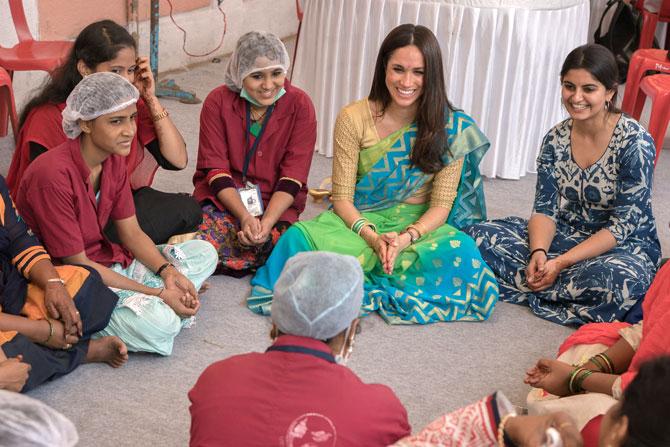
(501, 63)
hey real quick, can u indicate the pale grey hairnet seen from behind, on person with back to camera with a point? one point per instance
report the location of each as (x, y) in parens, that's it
(317, 295)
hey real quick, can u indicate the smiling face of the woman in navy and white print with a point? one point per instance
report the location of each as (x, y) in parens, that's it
(584, 97)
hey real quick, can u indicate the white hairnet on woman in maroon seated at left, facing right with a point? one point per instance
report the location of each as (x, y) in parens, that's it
(96, 95)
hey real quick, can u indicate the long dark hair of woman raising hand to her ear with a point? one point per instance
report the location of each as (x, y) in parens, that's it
(97, 43)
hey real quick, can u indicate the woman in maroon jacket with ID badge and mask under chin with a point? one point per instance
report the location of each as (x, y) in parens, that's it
(259, 118)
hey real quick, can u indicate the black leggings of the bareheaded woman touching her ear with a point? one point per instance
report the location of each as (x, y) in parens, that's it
(161, 215)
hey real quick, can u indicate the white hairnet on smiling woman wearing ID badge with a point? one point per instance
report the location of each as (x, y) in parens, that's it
(255, 51)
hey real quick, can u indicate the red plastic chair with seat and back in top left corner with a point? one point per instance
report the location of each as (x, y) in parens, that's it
(31, 54)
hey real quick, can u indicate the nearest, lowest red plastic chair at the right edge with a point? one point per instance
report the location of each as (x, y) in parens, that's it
(657, 87)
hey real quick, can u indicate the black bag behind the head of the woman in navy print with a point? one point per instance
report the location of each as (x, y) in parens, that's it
(623, 35)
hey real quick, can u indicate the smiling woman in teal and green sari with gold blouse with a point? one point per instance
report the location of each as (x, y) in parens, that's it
(405, 162)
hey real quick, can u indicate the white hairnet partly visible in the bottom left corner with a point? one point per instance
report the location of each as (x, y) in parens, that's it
(27, 422)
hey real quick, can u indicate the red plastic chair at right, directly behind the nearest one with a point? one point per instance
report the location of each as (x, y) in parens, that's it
(641, 62)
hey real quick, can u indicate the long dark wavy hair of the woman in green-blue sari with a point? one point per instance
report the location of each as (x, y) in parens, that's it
(431, 142)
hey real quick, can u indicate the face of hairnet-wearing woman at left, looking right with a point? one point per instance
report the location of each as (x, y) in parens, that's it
(113, 133)
